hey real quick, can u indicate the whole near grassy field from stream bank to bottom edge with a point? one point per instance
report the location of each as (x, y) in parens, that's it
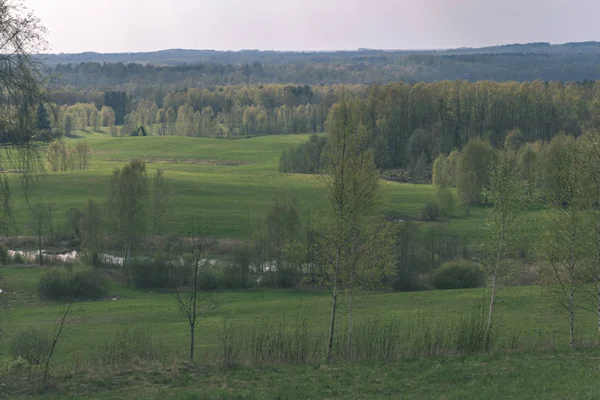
(539, 365)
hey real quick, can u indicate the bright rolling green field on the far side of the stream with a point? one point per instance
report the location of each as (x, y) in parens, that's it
(232, 183)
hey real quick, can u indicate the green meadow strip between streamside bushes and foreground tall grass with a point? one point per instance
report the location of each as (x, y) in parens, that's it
(525, 312)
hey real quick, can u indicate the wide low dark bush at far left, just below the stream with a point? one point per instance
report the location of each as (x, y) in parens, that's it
(79, 283)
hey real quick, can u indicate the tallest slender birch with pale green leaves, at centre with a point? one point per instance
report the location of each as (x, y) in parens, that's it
(352, 183)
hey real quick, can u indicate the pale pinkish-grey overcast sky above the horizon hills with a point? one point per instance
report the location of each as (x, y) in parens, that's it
(146, 25)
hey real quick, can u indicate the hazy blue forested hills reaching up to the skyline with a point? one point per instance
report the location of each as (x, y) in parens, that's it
(199, 68)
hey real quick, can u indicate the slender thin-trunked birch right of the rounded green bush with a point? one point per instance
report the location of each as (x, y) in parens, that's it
(507, 195)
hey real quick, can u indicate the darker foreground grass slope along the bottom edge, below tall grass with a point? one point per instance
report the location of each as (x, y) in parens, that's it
(524, 376)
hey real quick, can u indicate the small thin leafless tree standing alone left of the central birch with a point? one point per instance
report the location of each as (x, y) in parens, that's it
(192, 303)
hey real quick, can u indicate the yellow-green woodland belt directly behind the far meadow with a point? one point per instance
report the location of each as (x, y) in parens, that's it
(409, 124)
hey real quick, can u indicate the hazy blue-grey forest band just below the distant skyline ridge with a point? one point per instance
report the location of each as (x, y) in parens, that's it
(361, 70)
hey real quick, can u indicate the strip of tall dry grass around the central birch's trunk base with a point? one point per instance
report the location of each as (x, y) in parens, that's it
(375, 338)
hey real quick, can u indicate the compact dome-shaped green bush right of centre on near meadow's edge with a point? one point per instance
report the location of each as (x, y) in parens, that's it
(458, 274)
